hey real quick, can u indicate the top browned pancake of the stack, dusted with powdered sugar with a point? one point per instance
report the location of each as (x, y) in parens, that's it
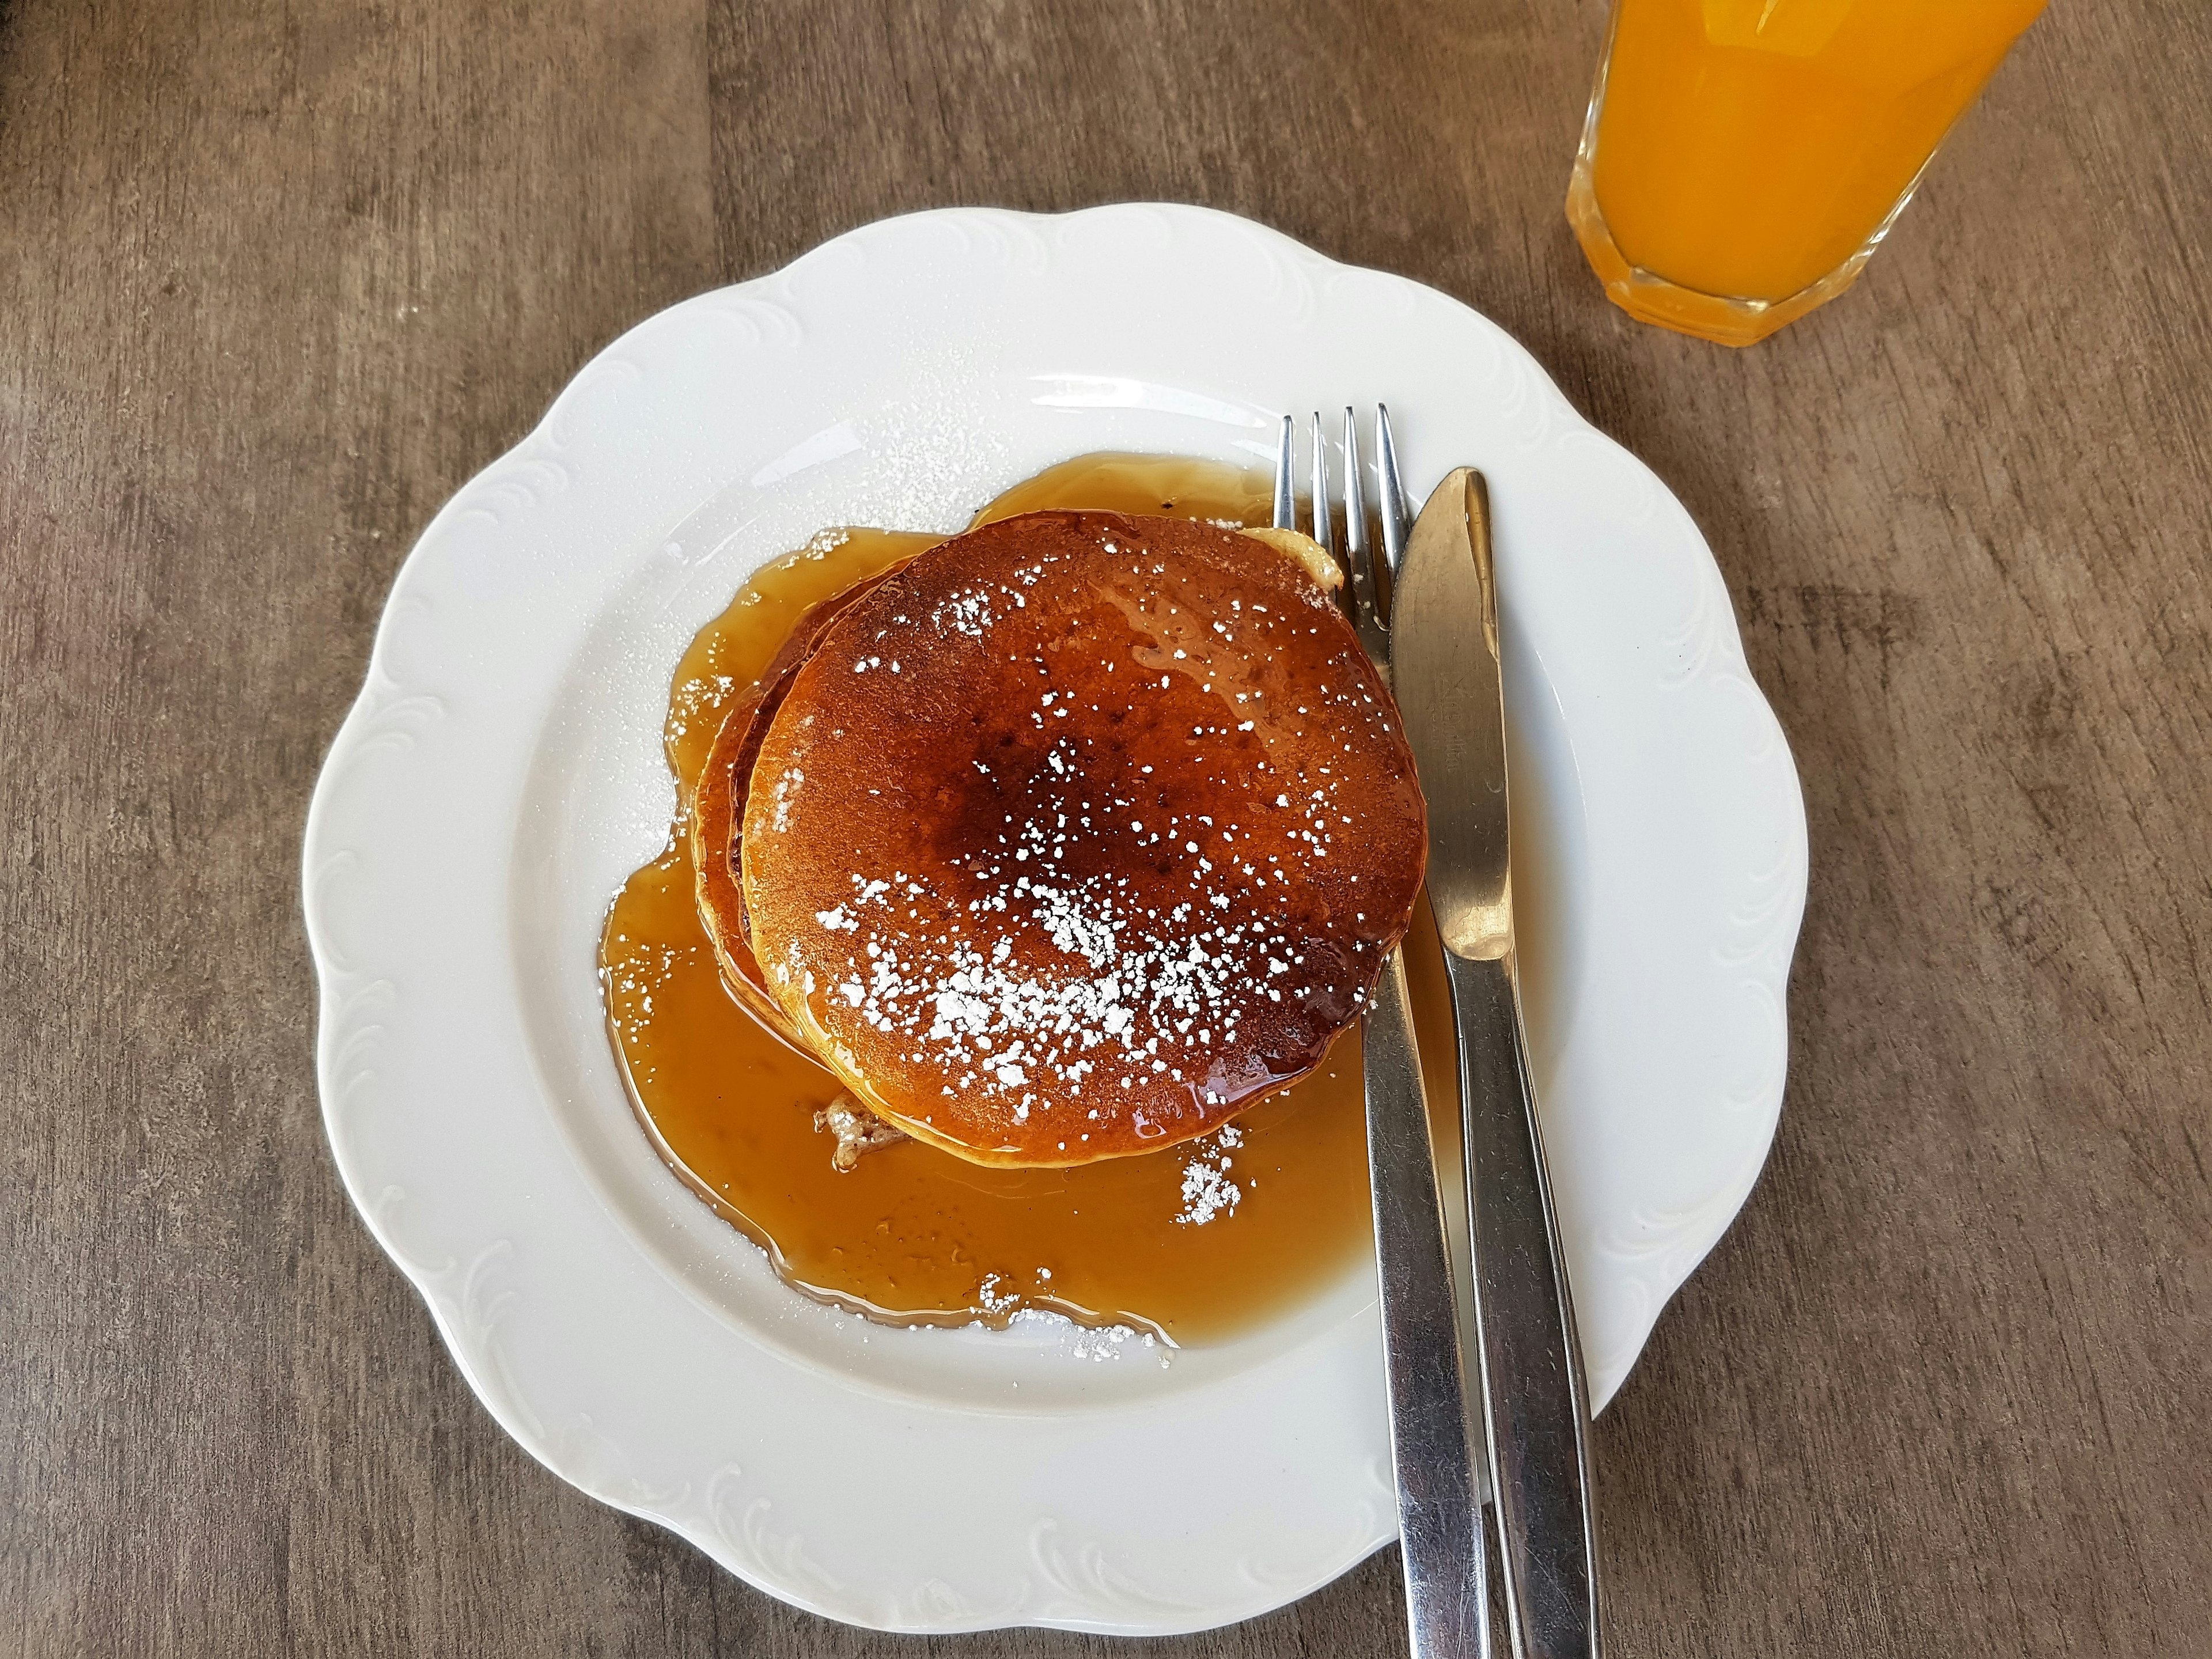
(1078, 835)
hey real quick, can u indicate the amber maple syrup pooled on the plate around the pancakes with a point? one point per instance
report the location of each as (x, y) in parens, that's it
(1198, 1242)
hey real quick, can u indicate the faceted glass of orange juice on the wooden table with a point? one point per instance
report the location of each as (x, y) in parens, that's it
(1744, 158)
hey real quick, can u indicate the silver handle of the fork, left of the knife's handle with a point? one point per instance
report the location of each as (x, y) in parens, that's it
(1432, 1448)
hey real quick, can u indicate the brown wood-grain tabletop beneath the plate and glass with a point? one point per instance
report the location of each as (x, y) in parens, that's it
(280, 278)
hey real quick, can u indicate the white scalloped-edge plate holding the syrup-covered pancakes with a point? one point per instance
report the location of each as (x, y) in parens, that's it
(501, 775)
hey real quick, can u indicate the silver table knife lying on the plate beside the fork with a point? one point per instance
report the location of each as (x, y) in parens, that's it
(1534, 1397)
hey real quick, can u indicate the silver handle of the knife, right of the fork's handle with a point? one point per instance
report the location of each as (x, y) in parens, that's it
(1534, 1395)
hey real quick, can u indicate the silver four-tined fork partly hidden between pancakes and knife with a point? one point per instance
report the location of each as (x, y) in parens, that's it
(1423, 1344)
